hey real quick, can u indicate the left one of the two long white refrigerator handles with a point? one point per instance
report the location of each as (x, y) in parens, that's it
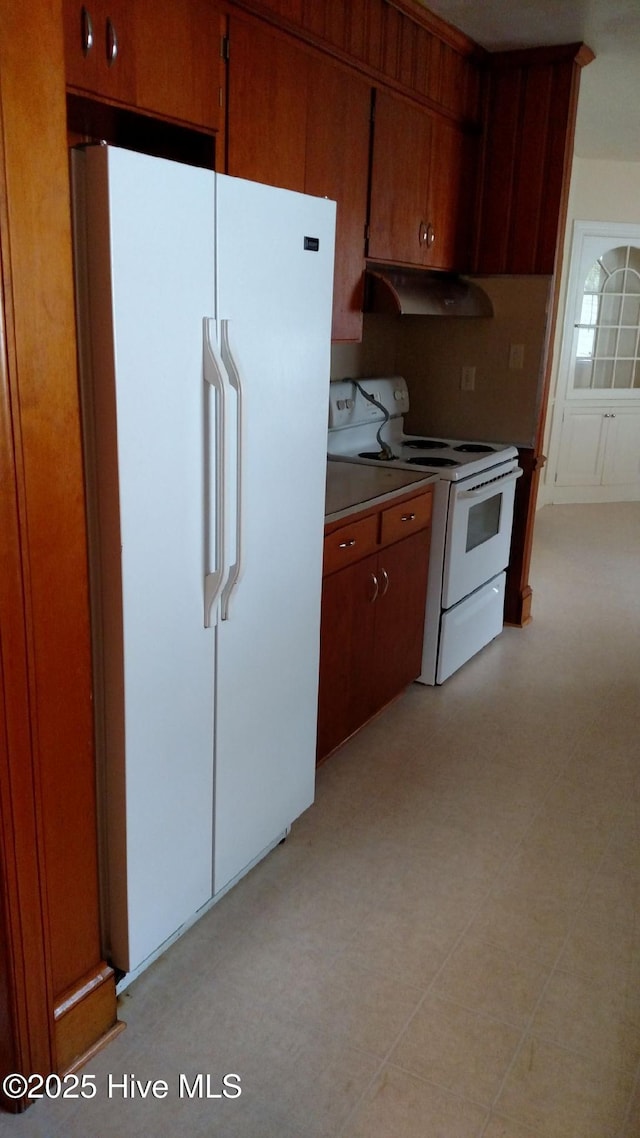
(216, 376)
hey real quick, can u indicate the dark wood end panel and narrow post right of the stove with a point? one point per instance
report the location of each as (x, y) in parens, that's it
(530, 125)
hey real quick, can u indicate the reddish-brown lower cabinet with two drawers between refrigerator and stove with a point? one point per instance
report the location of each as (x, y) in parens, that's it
(374, 597)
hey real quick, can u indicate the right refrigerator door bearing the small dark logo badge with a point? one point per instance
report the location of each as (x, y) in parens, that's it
(275, 281)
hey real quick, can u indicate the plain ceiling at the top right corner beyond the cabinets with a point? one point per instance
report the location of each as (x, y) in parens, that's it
(609, 114)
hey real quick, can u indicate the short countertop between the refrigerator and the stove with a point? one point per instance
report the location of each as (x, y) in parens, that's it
(352, 485)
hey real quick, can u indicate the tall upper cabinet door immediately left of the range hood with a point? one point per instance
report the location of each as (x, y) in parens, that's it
(338, 168)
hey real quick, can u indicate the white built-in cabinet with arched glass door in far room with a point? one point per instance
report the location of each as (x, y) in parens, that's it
(595, 446)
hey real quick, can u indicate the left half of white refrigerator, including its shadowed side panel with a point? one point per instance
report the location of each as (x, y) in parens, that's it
(146, 279)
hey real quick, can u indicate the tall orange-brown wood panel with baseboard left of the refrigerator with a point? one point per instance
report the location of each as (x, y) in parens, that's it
(50, 917)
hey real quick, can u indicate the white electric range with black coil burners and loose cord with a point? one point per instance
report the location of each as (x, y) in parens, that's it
(472, 519)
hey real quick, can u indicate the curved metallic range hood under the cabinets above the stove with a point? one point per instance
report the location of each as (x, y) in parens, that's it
(421, 293)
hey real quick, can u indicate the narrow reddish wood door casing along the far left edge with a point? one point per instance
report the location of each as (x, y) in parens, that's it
(26, 983)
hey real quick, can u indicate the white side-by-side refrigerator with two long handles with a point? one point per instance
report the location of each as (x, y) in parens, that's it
(204, 327)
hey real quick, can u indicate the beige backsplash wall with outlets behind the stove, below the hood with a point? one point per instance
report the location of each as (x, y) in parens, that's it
(431, 352)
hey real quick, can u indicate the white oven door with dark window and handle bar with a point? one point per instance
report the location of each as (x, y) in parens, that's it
(479, 532)
